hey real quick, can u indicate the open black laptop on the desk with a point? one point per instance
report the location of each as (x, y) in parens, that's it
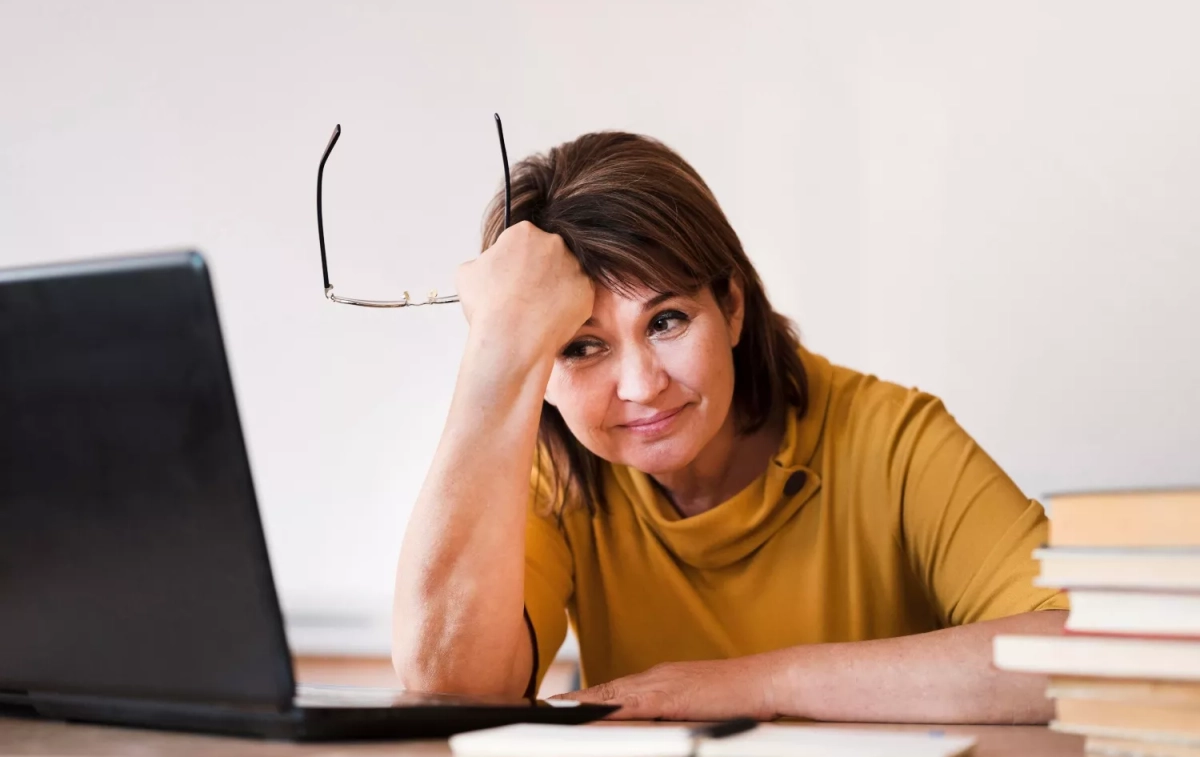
(135, 582)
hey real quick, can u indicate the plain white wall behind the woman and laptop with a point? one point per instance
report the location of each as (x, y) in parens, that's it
(995, 202)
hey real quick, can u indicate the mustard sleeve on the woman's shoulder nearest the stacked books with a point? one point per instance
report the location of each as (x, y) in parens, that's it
(968, 530)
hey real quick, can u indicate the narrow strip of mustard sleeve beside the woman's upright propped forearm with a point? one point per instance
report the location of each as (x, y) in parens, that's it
(549, 578)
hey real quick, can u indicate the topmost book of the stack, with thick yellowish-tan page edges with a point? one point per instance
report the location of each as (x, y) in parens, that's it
(1149, 519)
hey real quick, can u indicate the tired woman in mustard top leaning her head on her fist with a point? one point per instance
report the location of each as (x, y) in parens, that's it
(734, 526)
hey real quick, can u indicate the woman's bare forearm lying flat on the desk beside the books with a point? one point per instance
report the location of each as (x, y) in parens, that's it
(943, 677)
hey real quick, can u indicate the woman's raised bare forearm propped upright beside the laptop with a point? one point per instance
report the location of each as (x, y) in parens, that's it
(460, 584)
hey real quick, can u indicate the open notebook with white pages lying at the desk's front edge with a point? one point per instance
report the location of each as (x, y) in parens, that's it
(769, 741)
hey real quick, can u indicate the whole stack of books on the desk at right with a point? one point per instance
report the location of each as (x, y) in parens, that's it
(1126, 674)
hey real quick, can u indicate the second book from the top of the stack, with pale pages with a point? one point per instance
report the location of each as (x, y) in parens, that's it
(1081, 568)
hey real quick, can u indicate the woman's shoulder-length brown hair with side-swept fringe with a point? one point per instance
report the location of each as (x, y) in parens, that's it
(635, 213)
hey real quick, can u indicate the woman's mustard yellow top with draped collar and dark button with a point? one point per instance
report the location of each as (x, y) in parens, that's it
(879, 518)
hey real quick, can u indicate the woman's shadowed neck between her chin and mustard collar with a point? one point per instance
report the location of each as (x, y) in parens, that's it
(728, 465)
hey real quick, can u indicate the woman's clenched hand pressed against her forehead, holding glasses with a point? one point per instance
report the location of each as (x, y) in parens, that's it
(529, 289)
